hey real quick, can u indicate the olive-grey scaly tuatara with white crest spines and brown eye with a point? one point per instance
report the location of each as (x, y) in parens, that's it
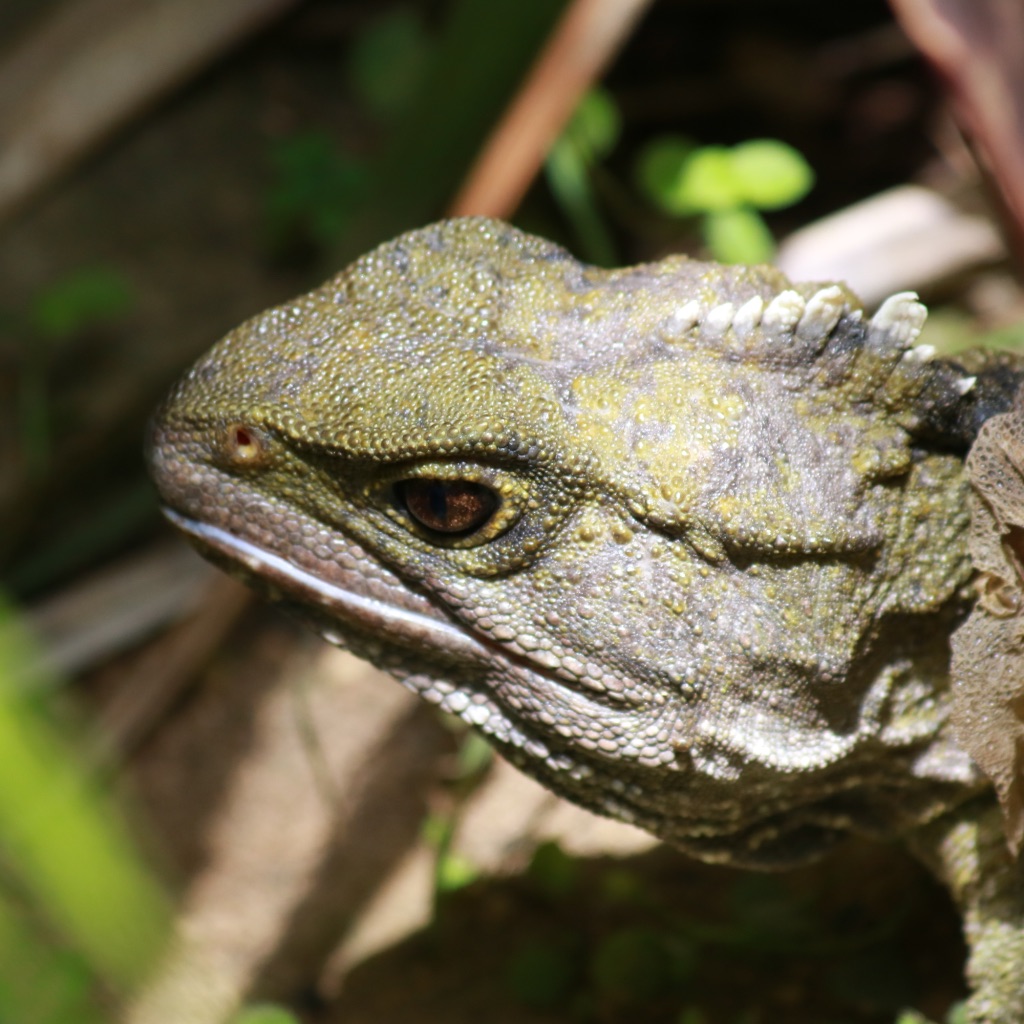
(711, 535)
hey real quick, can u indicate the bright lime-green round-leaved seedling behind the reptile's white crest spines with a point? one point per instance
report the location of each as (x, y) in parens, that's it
(726, 188)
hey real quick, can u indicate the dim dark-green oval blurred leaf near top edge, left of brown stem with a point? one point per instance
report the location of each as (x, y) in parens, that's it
(389, 62)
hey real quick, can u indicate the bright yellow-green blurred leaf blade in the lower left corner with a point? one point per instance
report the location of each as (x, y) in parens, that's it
(79, 912)
